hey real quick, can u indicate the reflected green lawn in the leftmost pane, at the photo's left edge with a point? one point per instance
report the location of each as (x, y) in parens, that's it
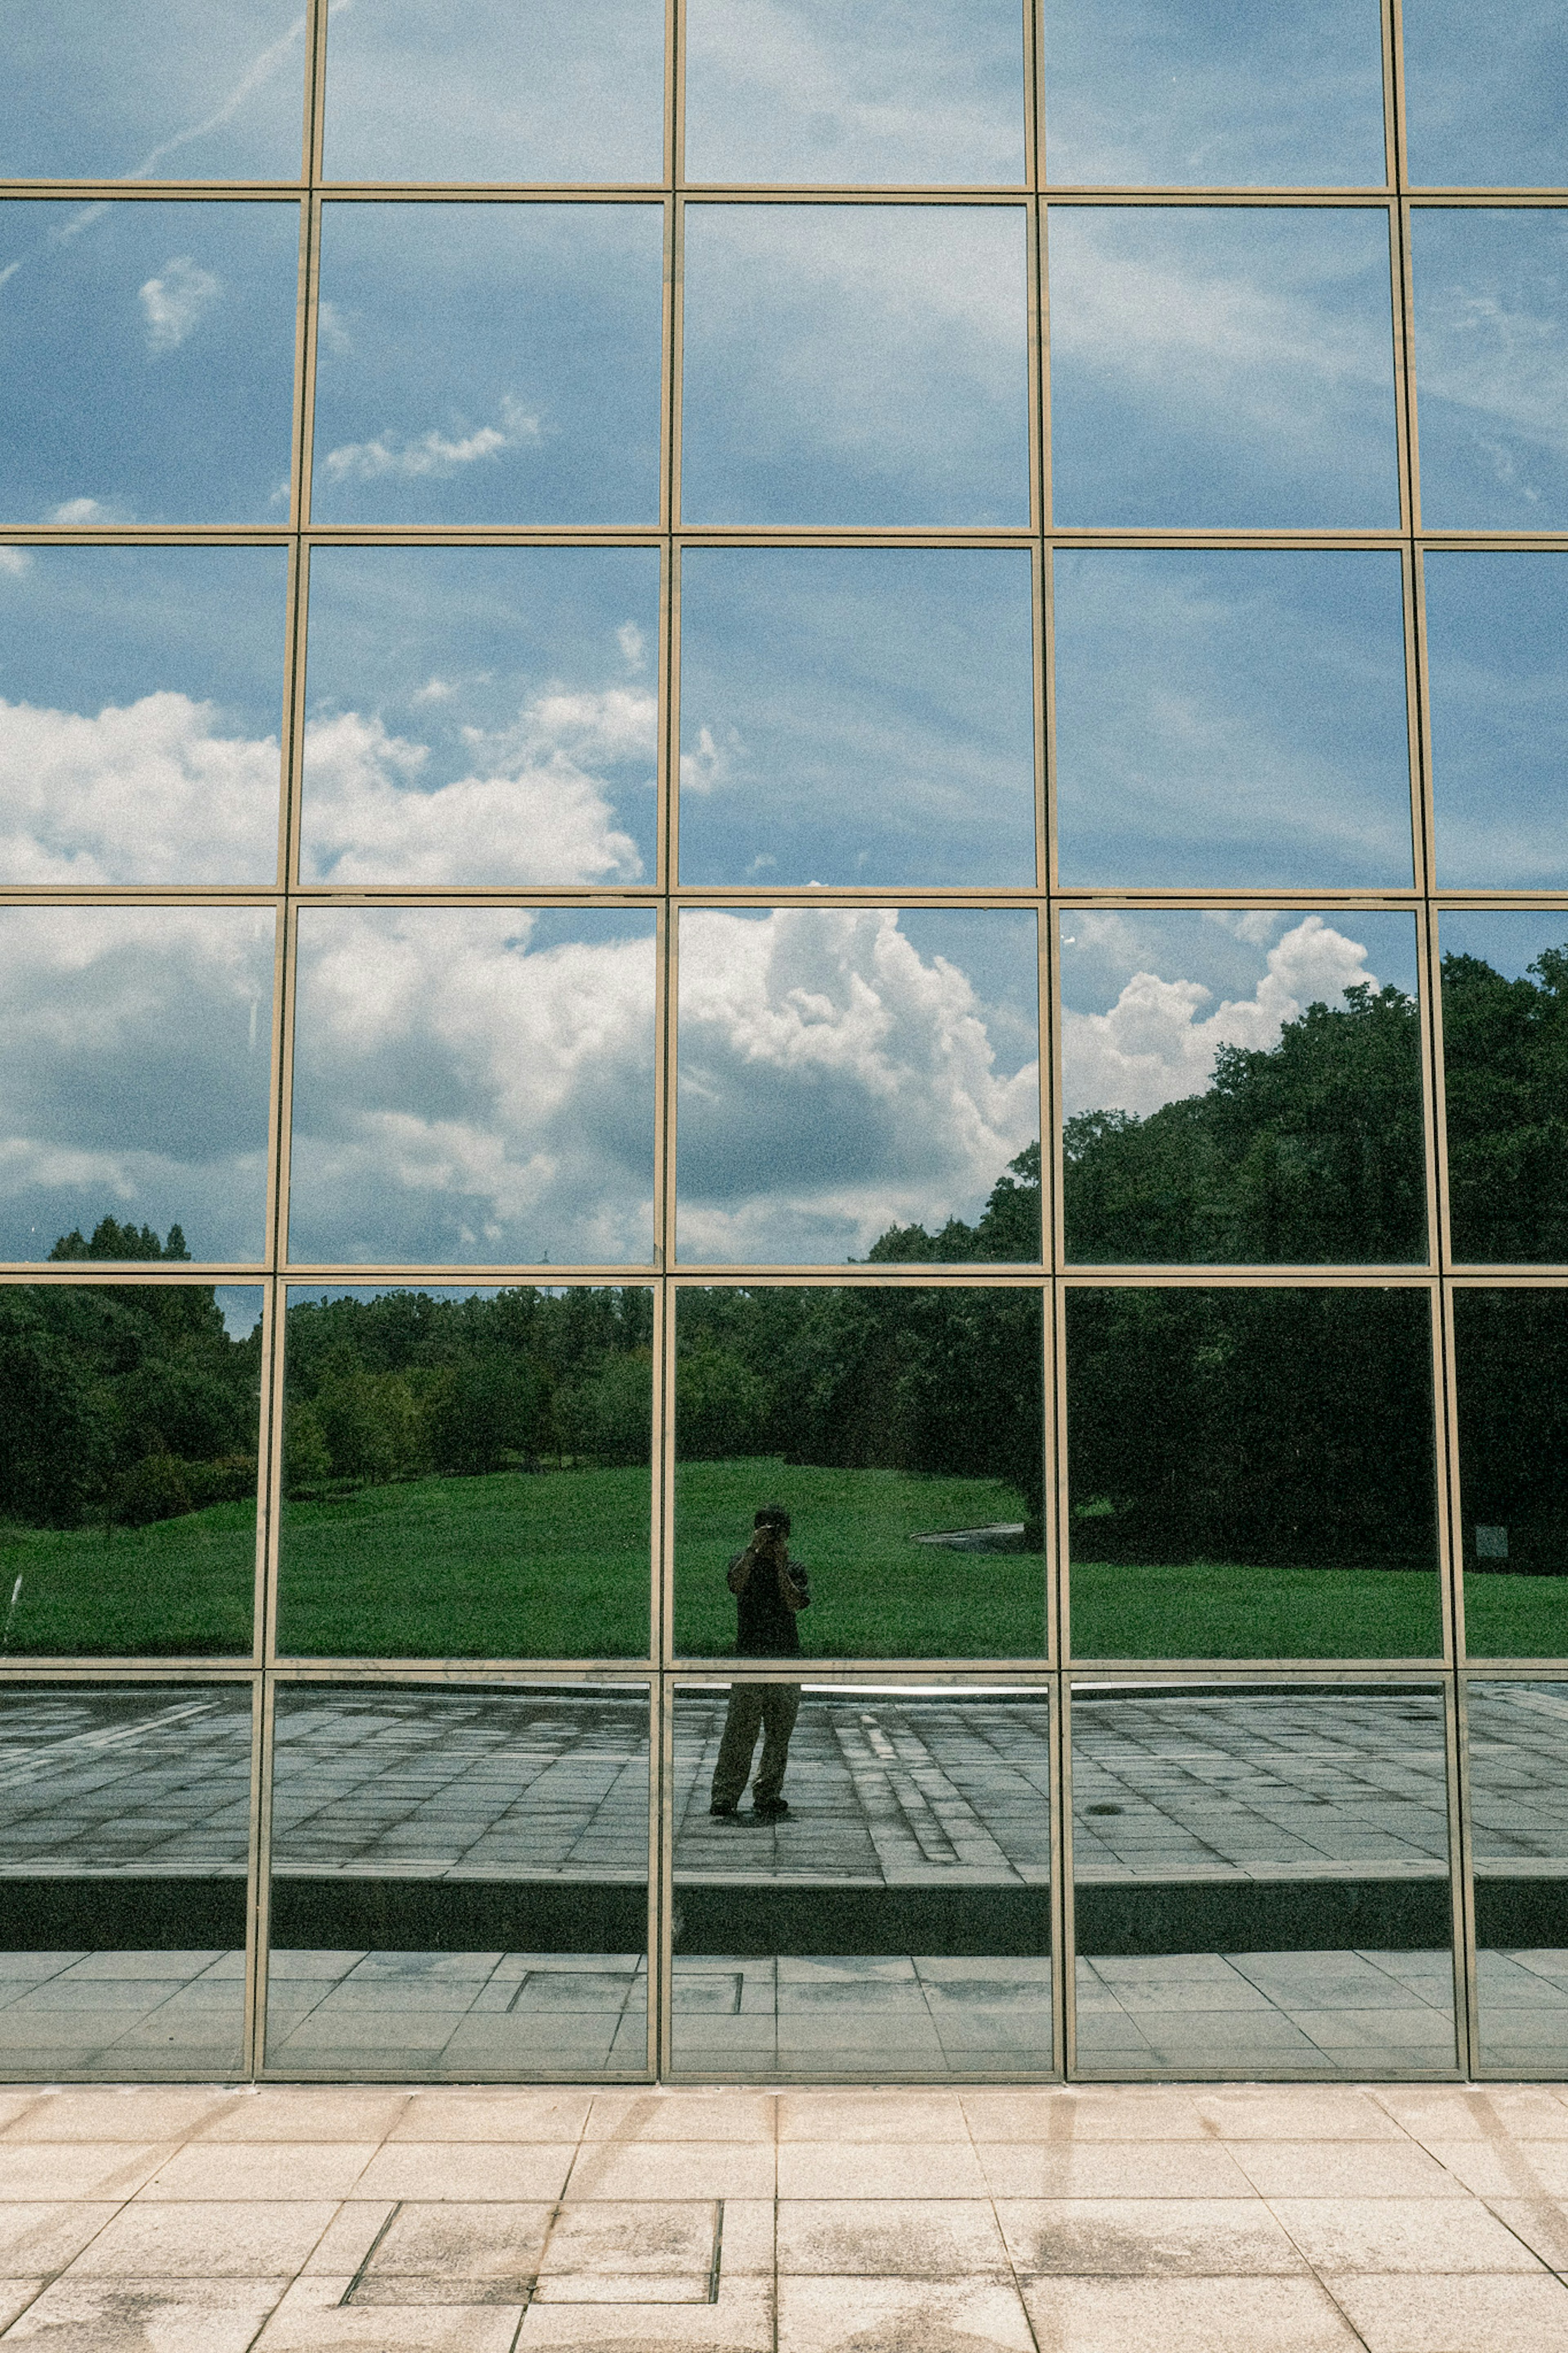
(166, 1589)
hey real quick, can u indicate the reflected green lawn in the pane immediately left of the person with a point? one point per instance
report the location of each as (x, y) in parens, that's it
(471, 1568)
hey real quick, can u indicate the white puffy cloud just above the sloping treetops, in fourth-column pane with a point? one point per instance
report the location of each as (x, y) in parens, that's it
(1158, 1041)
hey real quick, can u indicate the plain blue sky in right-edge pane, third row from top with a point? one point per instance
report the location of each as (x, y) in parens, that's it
(1499, 712)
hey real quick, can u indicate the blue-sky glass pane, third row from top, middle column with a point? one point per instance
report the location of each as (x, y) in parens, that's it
(859, 716)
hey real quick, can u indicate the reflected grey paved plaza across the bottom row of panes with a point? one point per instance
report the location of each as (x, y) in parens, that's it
(897, 1799)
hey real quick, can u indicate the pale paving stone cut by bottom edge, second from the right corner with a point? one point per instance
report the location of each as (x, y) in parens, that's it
(1186, 2317)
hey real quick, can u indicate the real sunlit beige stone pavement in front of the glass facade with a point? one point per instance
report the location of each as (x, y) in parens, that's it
(1113, 2220)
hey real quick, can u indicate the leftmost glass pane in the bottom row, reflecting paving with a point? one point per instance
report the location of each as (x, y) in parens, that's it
(123, 1846)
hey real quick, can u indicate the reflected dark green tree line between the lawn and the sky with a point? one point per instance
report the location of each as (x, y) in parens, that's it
(1205, 1425)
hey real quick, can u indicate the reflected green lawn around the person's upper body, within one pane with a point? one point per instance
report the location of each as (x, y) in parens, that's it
(873, 1594)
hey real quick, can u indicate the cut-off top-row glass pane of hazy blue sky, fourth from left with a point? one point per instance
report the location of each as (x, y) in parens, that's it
(1193, 95)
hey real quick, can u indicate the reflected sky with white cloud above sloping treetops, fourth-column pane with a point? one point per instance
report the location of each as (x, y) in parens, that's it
(1151, 996)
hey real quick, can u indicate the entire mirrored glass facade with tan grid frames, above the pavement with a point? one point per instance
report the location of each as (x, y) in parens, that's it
(784, 754)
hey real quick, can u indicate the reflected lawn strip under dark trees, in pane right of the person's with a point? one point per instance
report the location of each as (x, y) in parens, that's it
(1209, 1611)
